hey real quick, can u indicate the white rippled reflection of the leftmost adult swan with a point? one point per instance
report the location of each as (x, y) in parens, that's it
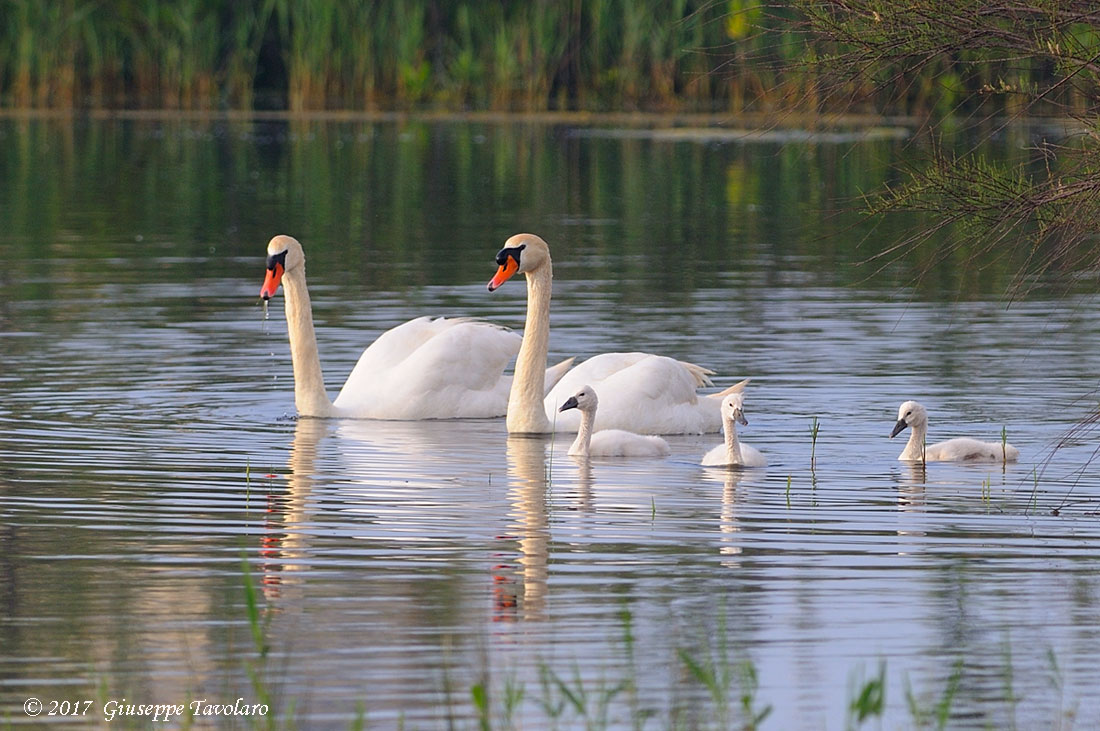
(377, 481)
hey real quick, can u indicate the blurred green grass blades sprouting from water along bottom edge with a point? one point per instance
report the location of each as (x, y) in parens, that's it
(722, 690)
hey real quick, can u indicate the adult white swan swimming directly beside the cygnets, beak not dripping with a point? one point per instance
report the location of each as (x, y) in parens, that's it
(639, 392)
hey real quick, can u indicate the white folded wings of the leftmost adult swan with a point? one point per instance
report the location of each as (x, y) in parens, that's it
(427, 369)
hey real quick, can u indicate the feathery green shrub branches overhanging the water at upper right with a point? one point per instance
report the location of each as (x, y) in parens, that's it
(980, 65)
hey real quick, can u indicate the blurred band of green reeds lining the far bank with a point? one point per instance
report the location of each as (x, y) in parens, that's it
(731, 57)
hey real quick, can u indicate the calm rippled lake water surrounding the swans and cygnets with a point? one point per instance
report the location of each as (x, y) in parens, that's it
(149, 451)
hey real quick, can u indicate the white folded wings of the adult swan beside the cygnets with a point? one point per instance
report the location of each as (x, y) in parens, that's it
(639, 392)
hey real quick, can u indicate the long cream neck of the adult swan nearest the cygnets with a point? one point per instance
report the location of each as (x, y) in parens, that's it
(526, 412)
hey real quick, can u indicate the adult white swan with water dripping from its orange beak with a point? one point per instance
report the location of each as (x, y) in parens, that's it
(425, 369)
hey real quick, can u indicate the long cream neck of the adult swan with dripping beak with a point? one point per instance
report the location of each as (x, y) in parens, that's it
(310, 396)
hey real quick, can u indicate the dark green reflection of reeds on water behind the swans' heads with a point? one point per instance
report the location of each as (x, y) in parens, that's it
(390, 206)
